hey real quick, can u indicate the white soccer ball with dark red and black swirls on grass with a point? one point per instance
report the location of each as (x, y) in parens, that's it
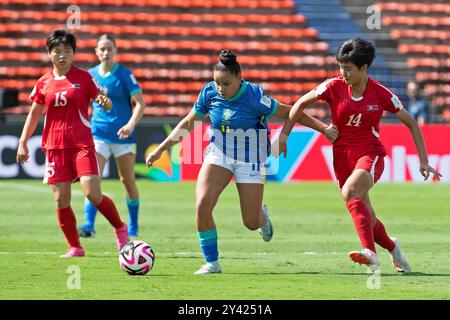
(136, 258)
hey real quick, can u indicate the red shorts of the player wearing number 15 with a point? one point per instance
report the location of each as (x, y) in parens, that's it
(70, 164)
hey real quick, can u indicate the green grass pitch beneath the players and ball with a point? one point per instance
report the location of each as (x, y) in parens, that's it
(306, 259)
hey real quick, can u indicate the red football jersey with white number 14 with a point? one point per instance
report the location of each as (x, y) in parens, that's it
(358, 119)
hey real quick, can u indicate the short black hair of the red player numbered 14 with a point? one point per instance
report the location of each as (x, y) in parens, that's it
(358, 51)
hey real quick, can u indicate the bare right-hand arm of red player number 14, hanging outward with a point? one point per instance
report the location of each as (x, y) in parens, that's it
(425, 169)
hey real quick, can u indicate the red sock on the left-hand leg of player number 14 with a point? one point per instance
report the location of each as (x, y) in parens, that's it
(361, 221)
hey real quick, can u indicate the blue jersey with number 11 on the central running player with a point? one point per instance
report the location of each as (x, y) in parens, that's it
(238, 125)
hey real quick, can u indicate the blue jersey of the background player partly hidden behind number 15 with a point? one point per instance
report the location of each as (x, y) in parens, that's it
(120, 85)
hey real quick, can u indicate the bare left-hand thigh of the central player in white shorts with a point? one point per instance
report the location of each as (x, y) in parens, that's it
(212, 180)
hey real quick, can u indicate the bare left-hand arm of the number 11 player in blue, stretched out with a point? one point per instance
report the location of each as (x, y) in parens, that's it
(177, 135)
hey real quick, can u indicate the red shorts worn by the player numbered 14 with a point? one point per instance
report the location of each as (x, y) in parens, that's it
(345, 161)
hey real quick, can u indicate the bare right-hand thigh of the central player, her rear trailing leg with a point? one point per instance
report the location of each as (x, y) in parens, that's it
(250, 198)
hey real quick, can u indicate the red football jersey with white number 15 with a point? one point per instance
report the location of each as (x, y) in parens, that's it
(67, 100)
